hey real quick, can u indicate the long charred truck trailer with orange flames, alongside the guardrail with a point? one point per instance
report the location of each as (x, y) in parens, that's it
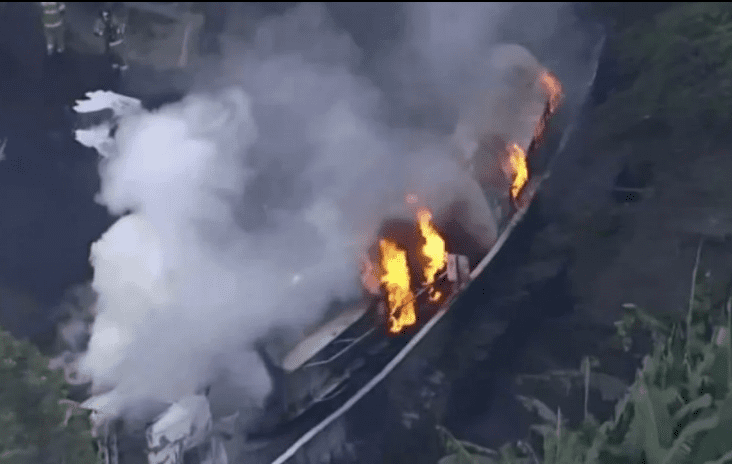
(416, 269)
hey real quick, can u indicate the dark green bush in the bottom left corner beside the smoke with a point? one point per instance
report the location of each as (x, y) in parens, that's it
(34, 426)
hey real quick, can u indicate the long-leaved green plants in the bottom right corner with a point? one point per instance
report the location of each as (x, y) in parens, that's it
(678, 409)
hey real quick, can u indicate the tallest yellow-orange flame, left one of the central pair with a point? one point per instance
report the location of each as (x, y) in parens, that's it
(395, 279)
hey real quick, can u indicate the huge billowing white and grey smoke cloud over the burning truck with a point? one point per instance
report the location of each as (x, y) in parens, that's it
(250, 204)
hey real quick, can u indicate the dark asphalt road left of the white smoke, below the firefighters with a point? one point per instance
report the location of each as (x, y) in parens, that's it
(47, 180)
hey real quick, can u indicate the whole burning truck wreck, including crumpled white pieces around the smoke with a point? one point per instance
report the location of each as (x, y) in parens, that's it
(411, 276)
